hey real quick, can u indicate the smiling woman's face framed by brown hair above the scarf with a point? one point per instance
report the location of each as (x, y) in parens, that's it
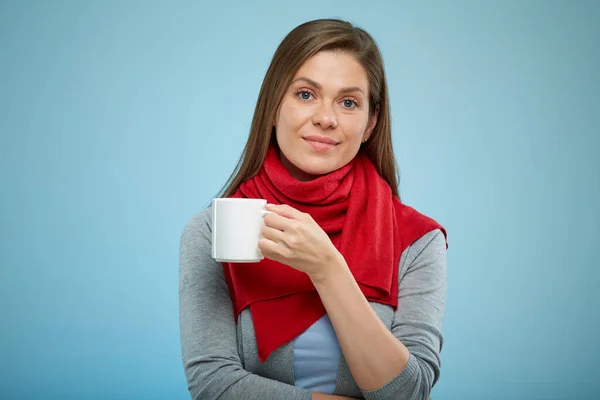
(324, 115)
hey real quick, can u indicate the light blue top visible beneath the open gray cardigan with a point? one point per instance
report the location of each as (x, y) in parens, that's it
(317, 357)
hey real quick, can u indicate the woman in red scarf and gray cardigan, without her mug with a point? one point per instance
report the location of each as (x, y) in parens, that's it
(349, 300)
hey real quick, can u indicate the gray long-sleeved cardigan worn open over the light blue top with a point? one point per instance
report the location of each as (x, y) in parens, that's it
(220, 356)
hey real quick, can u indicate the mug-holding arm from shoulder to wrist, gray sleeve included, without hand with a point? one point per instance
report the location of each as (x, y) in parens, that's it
(404, 363)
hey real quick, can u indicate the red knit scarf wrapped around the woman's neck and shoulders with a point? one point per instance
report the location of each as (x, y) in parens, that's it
(366, 223)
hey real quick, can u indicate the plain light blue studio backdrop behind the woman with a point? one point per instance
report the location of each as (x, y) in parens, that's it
(120, 120)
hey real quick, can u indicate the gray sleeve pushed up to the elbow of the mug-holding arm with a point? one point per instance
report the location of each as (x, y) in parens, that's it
(418, 320)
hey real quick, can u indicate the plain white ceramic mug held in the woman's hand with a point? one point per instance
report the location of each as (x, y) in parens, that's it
(236, 229)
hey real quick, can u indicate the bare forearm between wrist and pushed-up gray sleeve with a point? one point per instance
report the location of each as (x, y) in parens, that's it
(374, 355)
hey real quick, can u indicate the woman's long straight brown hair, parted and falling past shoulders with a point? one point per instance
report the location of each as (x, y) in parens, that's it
(299, 45)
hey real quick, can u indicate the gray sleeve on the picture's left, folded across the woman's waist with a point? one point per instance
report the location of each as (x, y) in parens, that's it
(208, 331)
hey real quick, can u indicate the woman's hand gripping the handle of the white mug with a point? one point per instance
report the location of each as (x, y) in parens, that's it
(295, 239)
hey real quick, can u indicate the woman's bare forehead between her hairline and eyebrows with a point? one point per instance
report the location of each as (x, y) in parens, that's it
(334, 69)
